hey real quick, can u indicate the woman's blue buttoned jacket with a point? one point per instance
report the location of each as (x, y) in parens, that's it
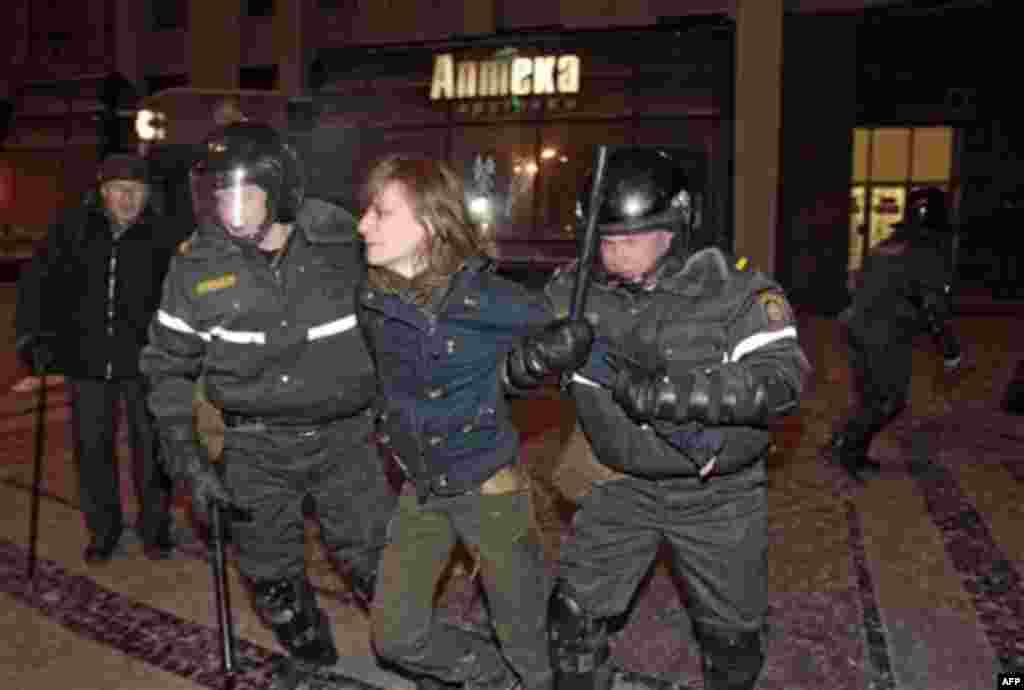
(443, 412)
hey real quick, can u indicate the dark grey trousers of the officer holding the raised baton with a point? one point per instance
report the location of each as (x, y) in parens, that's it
(717, 532)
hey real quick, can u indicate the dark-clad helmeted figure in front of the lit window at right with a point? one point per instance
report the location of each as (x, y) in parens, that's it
(904, 292)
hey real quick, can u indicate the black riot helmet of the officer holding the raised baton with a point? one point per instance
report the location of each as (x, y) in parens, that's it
(645, 190)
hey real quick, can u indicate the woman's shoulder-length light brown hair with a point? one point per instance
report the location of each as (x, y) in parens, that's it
(439, 202)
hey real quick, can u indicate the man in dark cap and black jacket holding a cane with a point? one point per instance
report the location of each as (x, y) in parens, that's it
(87, 304)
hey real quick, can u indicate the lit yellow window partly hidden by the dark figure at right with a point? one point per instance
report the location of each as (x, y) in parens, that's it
(888, 163)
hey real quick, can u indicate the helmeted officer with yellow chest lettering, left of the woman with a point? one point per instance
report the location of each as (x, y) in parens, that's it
(262, 306)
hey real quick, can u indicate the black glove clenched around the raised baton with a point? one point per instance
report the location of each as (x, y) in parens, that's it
(562, 347)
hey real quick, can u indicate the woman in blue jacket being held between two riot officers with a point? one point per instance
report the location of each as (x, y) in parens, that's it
(451, 339)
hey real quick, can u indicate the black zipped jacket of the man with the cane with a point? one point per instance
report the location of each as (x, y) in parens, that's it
(98, 292)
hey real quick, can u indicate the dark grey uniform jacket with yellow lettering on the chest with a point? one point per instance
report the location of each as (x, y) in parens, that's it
(276, 340)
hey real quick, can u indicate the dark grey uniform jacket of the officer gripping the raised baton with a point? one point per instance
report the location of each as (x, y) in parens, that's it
(699, 314)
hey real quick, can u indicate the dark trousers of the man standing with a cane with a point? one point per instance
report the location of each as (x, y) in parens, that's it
(95, 422)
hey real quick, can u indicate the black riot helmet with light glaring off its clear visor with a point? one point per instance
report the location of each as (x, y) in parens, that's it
(248, 154)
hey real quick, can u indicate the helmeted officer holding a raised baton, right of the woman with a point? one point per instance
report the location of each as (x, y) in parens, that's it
(694, 358)
